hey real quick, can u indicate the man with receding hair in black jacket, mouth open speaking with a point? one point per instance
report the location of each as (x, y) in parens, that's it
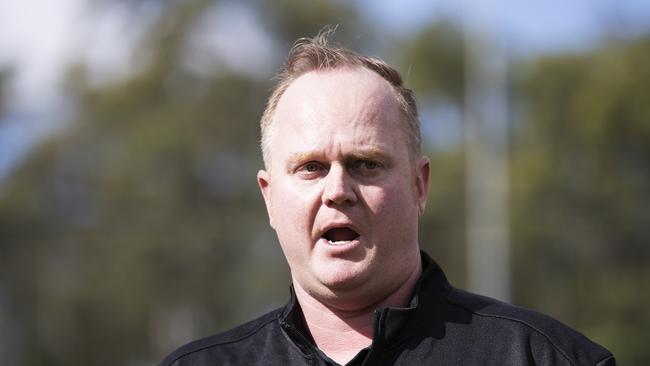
(344, 185)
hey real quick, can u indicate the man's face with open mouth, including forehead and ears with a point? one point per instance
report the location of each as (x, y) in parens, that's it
(342, 190)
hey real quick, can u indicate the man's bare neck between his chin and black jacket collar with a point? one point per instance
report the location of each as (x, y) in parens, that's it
(341, 334)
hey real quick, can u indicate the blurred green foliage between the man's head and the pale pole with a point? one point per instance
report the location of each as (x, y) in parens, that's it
(432, 65)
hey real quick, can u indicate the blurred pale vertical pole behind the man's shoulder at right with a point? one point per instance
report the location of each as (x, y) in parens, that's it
(486, 148)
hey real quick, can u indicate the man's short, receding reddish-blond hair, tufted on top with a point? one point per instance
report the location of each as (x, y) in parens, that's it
(313, 54)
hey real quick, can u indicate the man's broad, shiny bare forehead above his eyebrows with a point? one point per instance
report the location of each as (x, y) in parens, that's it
(338, 105)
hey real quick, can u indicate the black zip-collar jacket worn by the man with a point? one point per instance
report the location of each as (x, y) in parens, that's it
(442, 326)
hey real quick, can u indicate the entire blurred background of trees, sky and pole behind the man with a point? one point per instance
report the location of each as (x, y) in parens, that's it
(131, 222)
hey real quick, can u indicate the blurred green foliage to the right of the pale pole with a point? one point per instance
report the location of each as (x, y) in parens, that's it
(581, 184)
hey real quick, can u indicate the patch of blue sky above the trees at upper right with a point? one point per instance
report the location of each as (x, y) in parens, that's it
(529, 26)
